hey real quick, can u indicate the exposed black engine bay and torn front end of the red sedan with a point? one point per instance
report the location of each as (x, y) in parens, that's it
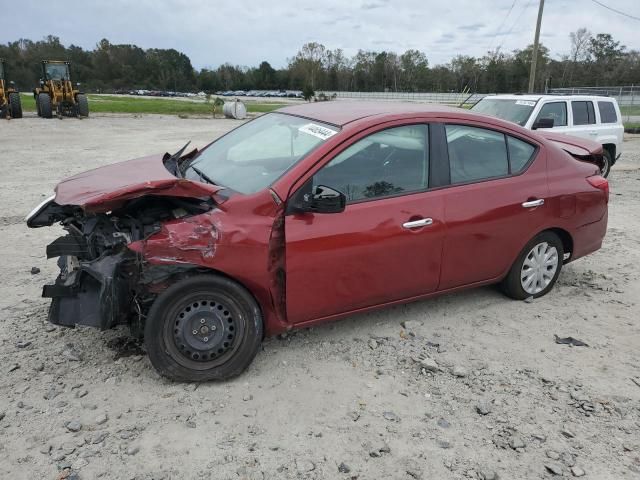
(102, 282)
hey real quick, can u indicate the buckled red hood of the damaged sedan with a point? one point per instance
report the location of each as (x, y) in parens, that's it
(105, 188)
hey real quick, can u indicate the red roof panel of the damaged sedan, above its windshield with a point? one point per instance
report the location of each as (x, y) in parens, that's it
(342, 112)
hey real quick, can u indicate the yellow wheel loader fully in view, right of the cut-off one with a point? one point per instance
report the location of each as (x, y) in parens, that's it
(56, 94)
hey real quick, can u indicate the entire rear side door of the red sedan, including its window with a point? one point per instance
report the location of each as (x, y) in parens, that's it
(494, 205)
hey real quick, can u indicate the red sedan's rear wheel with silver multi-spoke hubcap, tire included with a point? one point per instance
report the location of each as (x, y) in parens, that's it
(535, 271)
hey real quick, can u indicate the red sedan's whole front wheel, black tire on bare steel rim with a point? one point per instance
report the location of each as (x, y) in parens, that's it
(231, 312)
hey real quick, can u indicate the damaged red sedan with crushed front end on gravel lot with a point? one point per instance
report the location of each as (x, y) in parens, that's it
(312, 213)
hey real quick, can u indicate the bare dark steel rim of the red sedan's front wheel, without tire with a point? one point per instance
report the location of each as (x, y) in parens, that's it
(204, 330)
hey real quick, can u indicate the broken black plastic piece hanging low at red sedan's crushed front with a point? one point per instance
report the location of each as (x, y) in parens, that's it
(95, 294)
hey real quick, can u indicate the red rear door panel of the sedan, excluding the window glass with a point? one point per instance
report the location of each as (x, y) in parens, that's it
(487, 226)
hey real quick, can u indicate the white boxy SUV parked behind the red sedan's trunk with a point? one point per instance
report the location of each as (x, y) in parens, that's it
(593, 117)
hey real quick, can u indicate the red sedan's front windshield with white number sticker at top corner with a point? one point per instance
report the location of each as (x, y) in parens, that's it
(254, 155)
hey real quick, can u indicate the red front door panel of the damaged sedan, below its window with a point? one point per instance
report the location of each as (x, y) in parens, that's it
(362, 256)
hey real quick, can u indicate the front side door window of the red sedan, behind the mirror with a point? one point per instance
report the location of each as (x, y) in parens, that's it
(390, 162)
